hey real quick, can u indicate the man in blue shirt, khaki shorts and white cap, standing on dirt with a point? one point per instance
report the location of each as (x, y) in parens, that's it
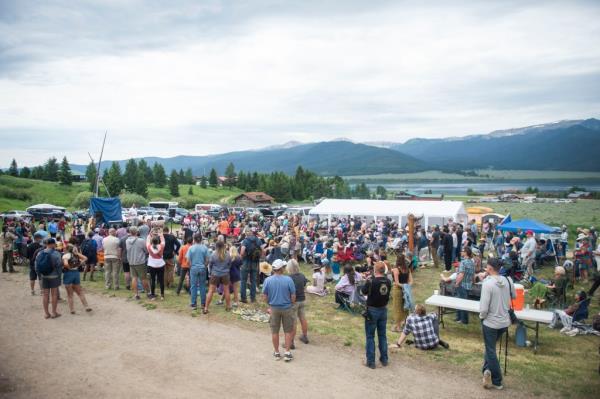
(280, 293)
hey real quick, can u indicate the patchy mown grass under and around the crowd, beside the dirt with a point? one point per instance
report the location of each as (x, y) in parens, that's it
(564, 366)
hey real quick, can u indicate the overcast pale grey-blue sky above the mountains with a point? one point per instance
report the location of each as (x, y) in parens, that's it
(197, 77)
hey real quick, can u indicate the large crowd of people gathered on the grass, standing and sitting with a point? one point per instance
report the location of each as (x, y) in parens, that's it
(234, 254)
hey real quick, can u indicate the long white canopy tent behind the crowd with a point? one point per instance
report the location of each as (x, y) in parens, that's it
(433, 212)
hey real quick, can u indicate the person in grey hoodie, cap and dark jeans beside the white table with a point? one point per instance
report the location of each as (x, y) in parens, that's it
(494, 312)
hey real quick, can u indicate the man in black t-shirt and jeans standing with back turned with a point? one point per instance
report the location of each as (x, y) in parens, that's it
(377, 290)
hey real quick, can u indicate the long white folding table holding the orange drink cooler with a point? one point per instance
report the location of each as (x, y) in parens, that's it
(530, 315)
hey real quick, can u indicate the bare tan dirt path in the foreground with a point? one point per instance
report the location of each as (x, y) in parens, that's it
(121, 350)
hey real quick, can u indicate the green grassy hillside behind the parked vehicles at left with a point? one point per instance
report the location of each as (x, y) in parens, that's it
(18, 193)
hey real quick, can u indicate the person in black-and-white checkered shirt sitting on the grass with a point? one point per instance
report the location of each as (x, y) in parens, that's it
(424, 327)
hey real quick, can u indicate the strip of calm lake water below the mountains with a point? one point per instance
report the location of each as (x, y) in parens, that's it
(489, 187)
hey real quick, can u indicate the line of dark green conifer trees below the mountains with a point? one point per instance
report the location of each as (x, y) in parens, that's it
(138, 175)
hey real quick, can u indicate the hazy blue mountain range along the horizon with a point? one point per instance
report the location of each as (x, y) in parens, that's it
(572, 145)
